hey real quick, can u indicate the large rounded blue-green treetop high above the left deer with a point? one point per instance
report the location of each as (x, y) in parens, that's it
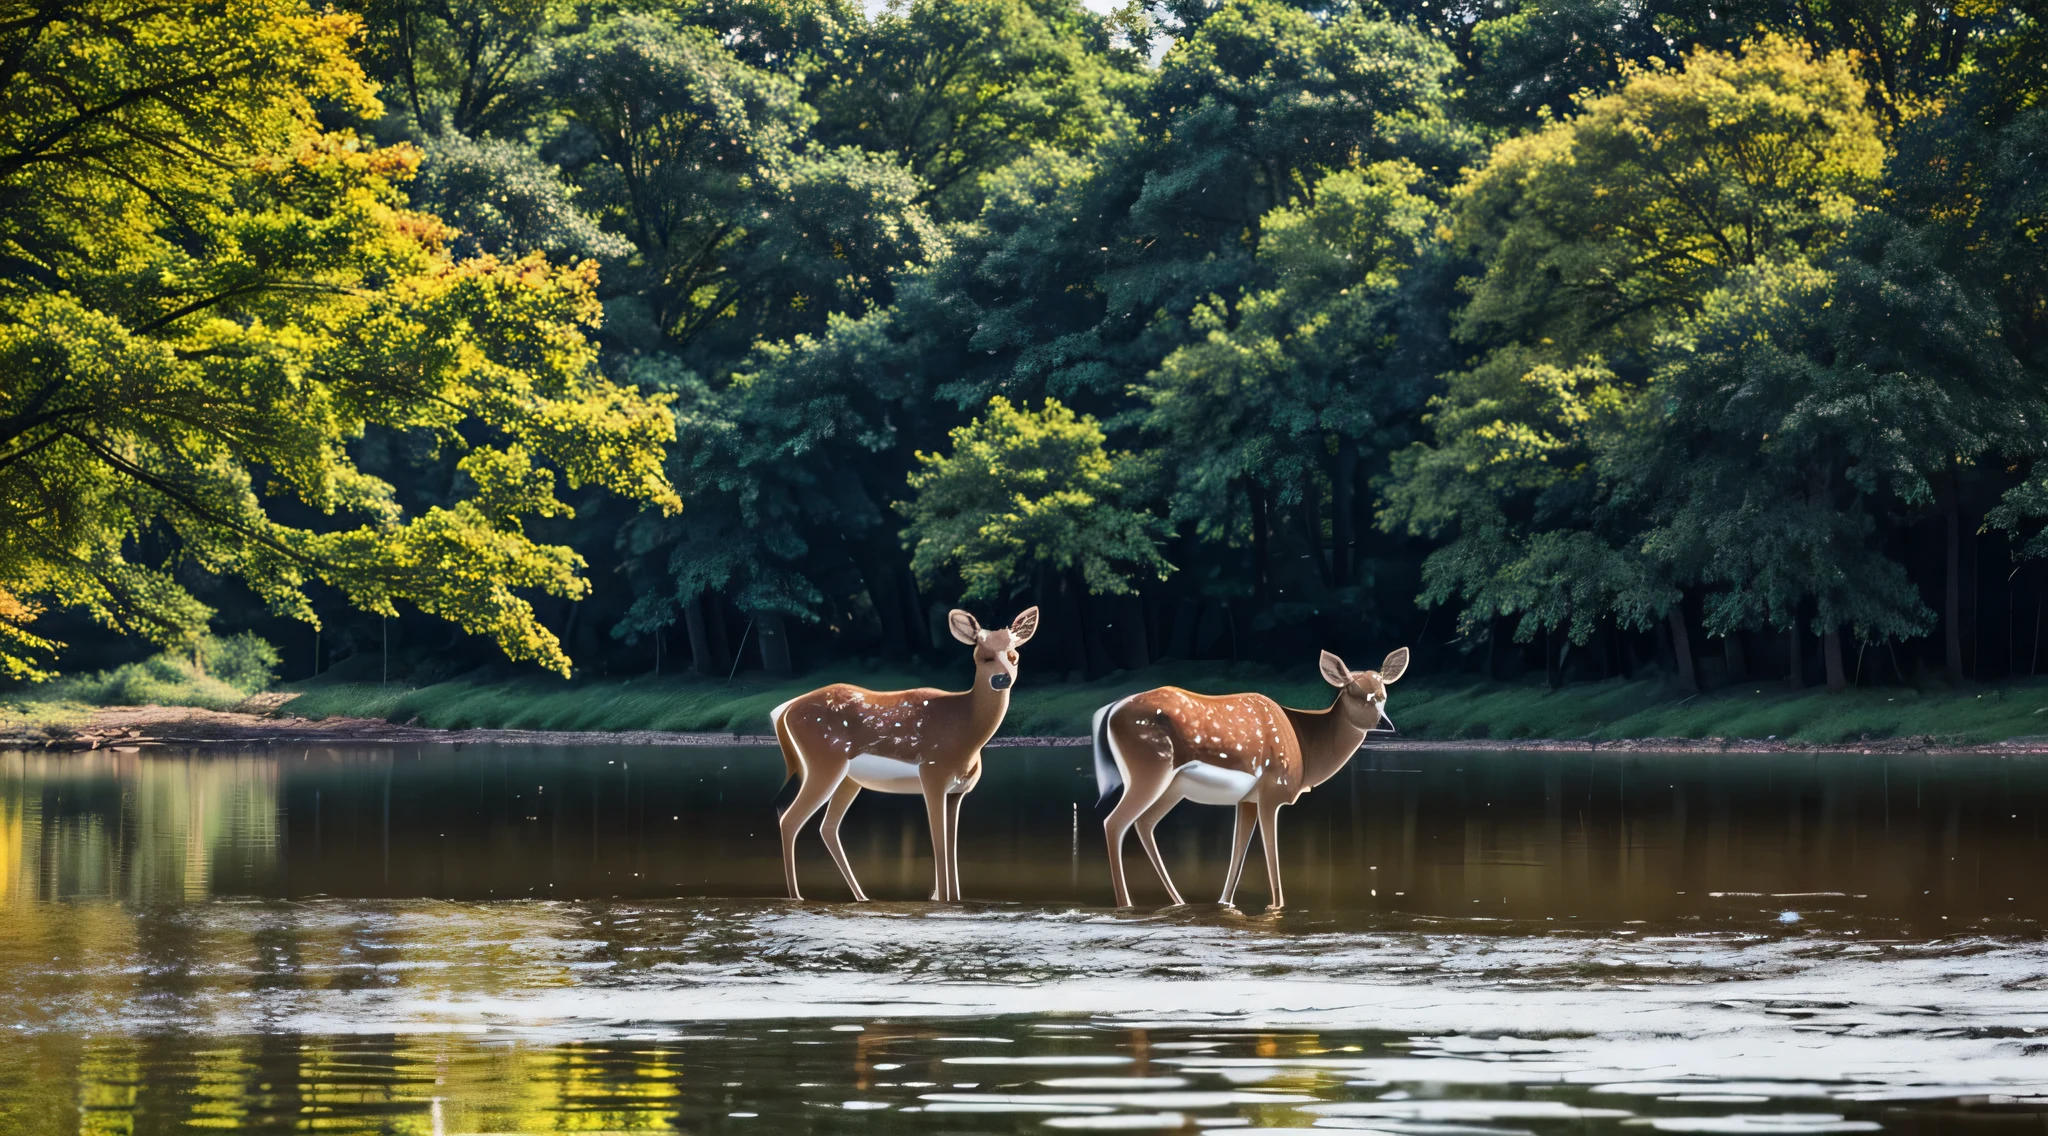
(742, 228)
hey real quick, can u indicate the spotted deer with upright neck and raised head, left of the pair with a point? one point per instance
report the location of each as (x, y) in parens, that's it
(843, 740)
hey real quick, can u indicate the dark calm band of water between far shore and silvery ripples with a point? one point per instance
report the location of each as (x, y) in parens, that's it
(1525, 836)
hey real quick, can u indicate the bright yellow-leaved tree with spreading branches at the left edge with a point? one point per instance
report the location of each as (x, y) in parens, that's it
(212, 296)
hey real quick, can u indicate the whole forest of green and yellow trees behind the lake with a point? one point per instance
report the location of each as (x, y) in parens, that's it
(1584, 339)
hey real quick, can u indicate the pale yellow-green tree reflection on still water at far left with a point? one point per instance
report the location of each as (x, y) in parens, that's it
(144, 830)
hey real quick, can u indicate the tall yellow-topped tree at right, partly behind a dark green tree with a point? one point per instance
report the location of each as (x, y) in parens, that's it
(1603, 234)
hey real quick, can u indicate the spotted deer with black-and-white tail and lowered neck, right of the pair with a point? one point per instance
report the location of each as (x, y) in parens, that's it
(1244, 750)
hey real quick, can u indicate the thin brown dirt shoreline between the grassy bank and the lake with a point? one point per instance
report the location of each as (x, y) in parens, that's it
(134, 728)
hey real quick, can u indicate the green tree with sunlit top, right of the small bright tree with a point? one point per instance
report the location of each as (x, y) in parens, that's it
(1312, 376)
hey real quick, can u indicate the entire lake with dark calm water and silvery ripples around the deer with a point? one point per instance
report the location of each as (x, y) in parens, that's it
(1478, 945)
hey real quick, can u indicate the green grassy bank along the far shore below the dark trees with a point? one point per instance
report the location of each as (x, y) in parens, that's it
(1428, 709)
